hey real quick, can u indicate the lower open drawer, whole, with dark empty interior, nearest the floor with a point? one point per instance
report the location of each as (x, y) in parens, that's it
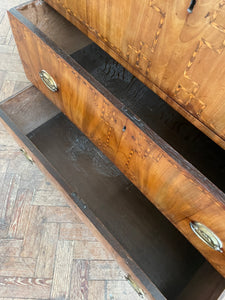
(151, 250)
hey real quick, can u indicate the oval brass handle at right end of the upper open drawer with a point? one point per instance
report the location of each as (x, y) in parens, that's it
(207, 236)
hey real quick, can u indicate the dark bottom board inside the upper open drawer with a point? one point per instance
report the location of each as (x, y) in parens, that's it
(190, 142)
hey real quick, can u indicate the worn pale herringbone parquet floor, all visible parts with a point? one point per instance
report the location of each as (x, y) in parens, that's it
(46, 252)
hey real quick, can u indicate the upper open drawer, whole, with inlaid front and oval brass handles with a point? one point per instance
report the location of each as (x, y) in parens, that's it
(129, 124)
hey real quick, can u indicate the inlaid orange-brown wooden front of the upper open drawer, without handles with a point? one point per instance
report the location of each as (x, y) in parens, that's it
(168, 181)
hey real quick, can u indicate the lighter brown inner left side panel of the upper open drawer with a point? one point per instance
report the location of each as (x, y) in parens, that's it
(56, 27)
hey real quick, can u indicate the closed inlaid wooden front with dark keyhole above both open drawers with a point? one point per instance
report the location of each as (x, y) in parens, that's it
(179, 55)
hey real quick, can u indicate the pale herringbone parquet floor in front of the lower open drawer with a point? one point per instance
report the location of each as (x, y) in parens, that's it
(33, 214)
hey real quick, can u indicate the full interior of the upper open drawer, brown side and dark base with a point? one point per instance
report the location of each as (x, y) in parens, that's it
(190, 142)
